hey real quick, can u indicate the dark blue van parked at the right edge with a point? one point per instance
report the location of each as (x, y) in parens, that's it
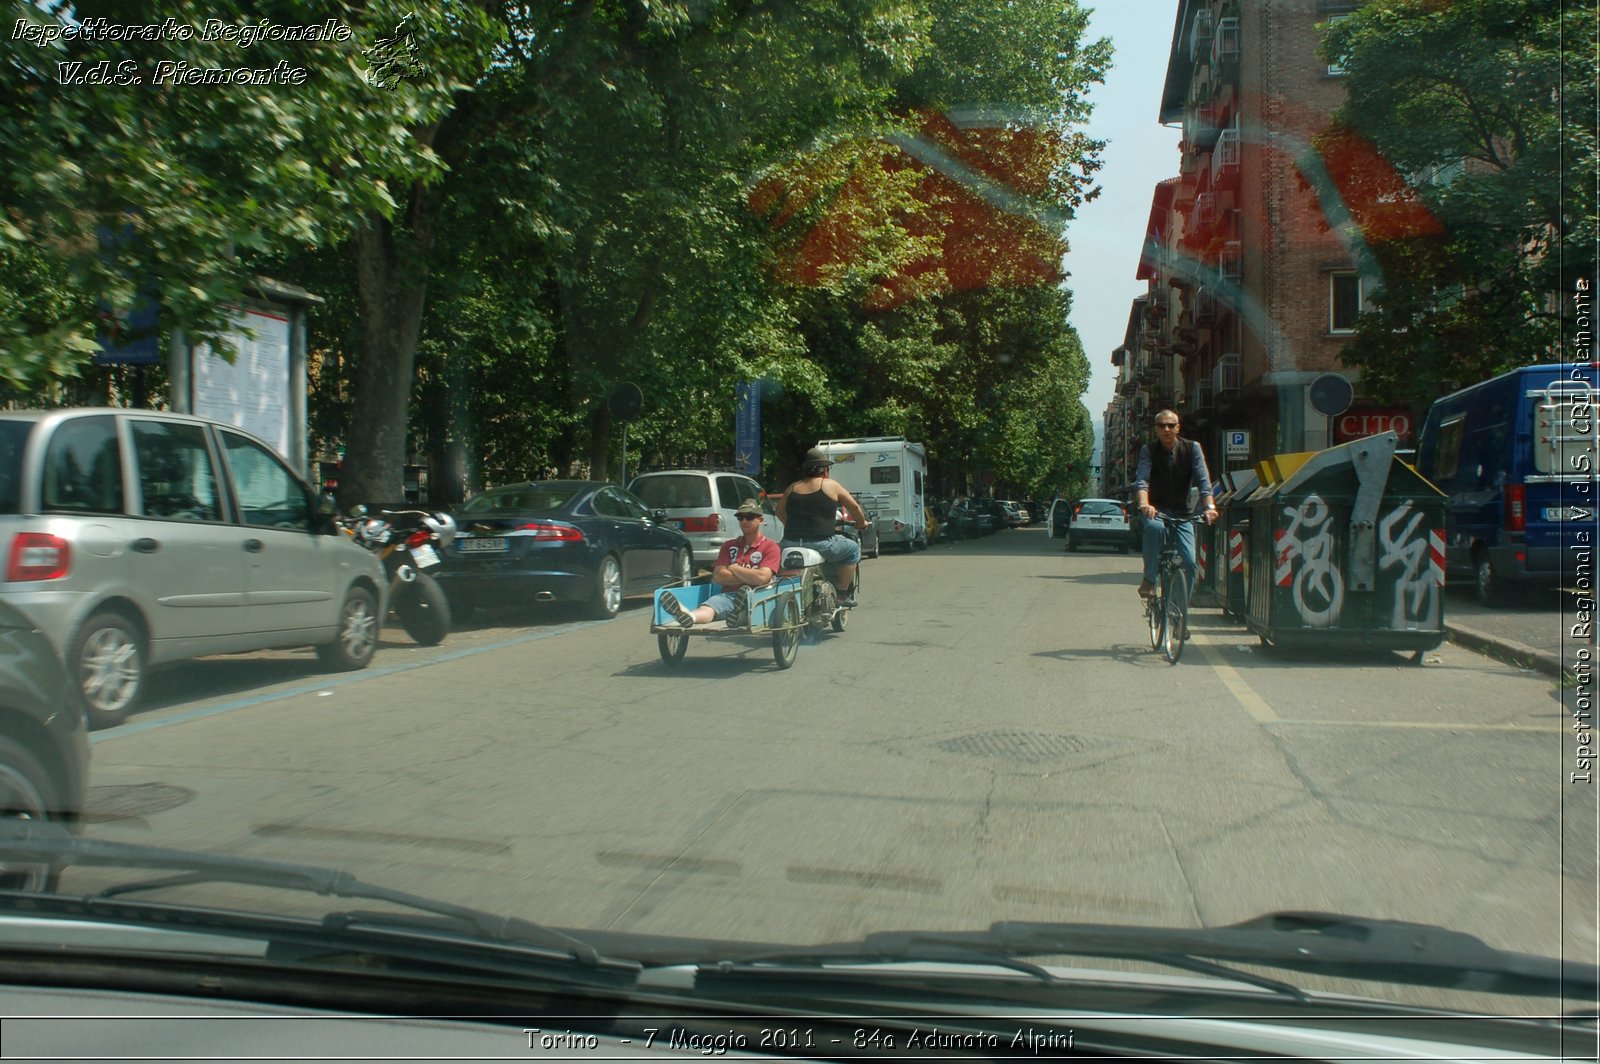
(1516, 458)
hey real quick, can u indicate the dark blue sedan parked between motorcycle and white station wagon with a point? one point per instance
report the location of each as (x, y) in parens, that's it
(562, 542)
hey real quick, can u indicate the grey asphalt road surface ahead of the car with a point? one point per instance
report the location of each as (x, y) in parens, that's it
(991, 740)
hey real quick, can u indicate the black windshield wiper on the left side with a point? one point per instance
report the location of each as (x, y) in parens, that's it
(50, 844)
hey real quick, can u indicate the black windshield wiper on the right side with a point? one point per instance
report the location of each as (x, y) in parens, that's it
(1316, 943)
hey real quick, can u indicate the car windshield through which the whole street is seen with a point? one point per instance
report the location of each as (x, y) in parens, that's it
(490, 262)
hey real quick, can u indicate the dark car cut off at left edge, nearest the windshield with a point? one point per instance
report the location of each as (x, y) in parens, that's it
(44, 740)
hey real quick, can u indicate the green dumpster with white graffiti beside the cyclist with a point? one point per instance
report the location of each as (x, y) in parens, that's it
(1346, 550)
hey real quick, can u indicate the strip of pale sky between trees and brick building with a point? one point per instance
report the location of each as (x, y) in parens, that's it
(1105, 238)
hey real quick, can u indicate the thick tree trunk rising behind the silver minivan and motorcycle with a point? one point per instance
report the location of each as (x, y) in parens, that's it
(393, 281)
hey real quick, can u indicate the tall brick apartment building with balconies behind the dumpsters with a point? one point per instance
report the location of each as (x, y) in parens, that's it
(1254, 255)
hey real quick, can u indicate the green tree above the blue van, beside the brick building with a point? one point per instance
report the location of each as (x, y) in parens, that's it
(1492, 119)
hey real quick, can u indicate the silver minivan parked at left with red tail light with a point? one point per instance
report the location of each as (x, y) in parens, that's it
(137, 538)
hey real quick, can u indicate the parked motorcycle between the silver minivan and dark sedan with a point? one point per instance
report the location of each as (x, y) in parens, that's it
(409, 543)
